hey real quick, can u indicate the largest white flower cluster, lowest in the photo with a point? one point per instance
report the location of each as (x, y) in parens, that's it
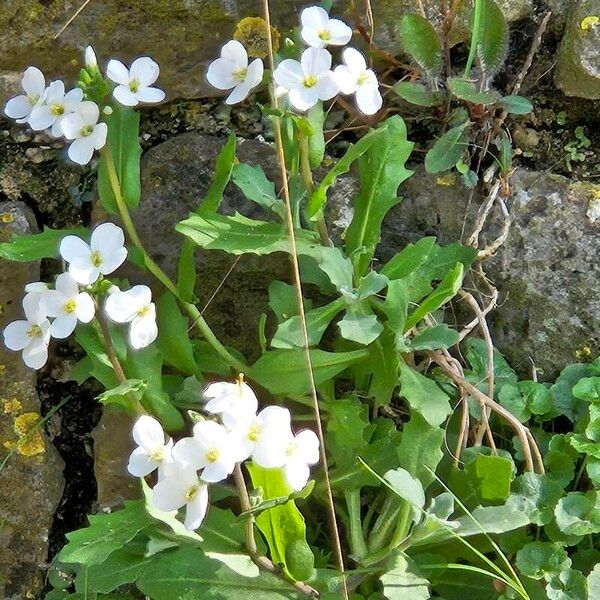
(186, 468)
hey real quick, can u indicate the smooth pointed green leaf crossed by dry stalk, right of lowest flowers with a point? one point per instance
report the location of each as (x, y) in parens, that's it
(285, 371)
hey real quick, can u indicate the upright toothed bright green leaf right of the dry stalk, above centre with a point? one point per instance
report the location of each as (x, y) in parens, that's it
(381, 171)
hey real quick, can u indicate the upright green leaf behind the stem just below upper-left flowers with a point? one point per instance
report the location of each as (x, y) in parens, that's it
(124, 146)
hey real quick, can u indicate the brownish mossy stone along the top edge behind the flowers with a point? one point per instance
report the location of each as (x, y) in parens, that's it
(182, 35)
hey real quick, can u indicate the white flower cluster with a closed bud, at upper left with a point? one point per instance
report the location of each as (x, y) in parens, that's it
(70, 114)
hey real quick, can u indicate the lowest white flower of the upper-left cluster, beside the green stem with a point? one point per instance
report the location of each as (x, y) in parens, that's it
(83, 127)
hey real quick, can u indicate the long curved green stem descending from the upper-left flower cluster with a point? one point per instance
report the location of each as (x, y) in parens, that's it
(192, 311)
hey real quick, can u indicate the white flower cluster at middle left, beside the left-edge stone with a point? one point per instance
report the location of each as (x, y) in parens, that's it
(67, 304)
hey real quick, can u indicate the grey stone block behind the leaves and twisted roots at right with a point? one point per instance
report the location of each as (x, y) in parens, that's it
(546, 271)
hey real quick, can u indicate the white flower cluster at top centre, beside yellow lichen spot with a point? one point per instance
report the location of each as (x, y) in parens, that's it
(311, 78)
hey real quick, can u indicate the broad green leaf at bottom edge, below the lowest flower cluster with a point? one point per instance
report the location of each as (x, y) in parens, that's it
(188, 573)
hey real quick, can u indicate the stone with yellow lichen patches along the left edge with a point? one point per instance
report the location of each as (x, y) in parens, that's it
(31, 482)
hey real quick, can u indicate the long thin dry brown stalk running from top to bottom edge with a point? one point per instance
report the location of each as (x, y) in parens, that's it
(300, 300)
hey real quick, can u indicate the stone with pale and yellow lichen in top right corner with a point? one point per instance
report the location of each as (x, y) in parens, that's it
(578, 69)
